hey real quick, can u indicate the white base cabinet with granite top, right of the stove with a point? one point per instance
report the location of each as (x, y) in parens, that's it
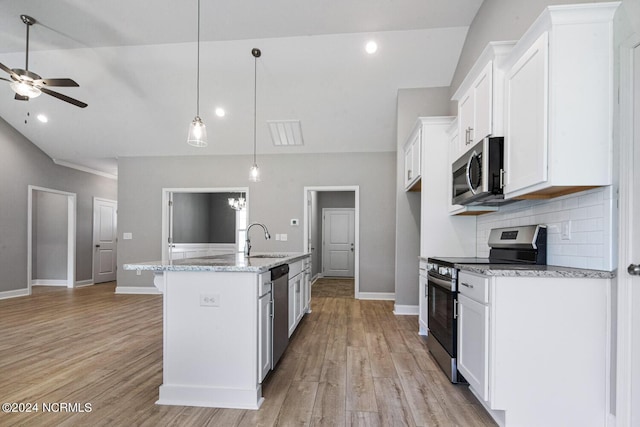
(533, 345)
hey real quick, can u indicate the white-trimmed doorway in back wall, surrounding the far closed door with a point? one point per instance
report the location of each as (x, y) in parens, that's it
(338, 197)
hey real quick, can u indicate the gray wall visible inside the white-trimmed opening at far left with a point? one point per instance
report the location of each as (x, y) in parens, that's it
(49, 250)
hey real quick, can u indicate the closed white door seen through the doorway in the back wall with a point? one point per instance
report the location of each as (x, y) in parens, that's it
(338, 238)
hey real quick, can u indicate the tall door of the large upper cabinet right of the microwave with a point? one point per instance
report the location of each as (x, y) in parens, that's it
(526, 142)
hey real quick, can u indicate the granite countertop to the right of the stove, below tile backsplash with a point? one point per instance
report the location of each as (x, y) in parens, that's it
(514, 270)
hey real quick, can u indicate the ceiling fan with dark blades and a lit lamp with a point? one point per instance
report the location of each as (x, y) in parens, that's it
(27, 84)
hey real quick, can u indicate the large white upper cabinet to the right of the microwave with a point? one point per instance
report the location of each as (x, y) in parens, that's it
(559, 103)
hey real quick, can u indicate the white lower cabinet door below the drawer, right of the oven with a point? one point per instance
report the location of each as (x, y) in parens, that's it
(473, 340)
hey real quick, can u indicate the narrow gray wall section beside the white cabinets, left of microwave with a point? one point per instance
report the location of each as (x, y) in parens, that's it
(412, 103)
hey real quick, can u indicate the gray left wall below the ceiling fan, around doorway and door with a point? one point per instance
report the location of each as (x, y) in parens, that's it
(23, 164)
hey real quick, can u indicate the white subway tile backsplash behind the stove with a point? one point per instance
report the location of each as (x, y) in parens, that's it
(588, 214)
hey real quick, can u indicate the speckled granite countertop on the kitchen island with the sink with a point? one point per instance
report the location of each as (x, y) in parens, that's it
(257, 263)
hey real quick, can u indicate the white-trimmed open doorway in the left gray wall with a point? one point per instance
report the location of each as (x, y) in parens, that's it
(51, 237)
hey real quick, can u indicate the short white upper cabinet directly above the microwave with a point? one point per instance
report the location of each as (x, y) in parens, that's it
(480, 105)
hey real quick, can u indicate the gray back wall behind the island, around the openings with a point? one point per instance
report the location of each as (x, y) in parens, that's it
(277, 199)
